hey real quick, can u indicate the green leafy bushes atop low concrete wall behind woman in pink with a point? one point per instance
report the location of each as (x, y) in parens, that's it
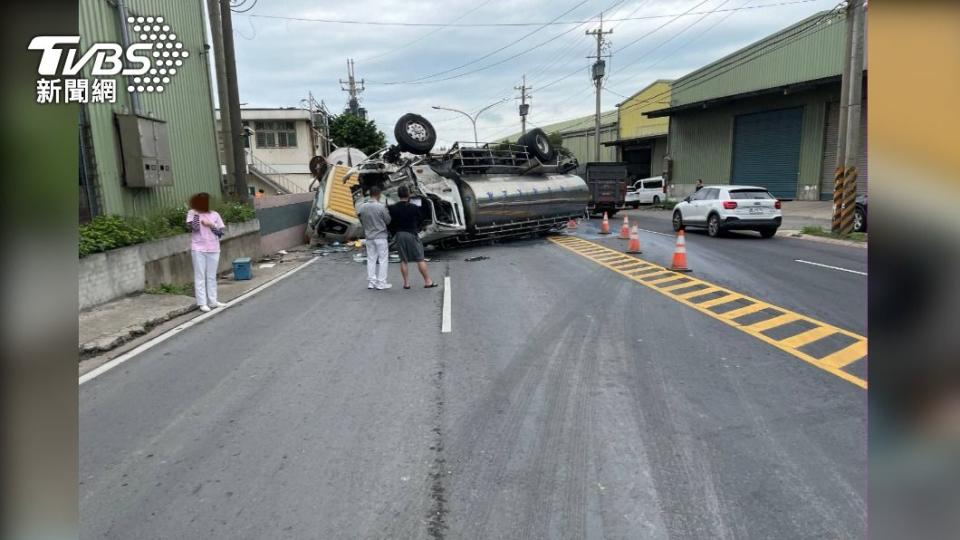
(104, 233)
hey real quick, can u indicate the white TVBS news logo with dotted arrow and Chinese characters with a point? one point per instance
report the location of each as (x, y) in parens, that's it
(148, 64)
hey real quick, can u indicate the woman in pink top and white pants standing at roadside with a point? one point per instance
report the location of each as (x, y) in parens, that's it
(206, 229)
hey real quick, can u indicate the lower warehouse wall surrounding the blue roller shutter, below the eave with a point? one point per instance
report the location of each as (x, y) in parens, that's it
(701, 142)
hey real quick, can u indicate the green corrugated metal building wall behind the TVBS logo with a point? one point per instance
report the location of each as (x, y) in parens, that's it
(186, 106)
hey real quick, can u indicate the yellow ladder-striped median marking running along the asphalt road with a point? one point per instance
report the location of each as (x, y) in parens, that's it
(832, 363)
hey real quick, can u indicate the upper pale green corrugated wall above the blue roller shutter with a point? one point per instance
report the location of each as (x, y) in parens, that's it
(809, 50)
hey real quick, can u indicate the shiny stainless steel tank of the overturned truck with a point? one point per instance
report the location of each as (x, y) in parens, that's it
(493, 200)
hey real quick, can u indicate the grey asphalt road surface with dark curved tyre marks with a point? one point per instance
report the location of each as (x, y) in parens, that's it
(567, 402)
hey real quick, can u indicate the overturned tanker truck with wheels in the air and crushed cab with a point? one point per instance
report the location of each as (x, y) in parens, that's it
(470, 193)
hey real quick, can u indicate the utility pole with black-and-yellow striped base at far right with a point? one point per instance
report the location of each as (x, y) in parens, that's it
(848, 143)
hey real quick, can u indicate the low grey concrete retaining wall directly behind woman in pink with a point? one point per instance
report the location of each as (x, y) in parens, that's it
(120, 272)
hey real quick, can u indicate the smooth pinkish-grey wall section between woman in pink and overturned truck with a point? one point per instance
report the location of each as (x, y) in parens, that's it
(283, 220)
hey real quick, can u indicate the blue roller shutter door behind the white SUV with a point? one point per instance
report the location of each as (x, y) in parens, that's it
(766, 150)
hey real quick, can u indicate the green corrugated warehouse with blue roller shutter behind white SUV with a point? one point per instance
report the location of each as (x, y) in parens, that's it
(765, 115)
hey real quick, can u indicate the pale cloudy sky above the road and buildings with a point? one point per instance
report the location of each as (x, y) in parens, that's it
(412, 68)
